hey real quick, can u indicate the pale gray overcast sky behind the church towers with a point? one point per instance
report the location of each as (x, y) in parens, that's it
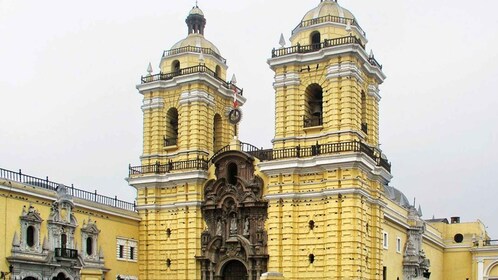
(70, 110)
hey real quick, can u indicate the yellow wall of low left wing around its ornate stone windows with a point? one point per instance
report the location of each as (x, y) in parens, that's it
(112, 223)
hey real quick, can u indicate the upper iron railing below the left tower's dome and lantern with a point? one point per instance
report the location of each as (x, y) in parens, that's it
(187, 71)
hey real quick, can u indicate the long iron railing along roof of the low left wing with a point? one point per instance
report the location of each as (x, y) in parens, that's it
(78, 193)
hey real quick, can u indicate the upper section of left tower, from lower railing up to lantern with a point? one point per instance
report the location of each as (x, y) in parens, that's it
(186, 104)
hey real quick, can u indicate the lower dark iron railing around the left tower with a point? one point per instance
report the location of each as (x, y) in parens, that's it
(158, 168)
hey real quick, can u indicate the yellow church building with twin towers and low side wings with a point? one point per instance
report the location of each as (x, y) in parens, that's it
(317, 205)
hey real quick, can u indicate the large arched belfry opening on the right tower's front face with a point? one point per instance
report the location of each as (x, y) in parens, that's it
(314, 106)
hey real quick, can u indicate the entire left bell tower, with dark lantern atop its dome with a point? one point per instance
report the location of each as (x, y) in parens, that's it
(186, 107)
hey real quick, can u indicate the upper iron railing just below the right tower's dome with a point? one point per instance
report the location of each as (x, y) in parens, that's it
(318, 46)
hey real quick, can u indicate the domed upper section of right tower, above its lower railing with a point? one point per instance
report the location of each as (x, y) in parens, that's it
(326, 84)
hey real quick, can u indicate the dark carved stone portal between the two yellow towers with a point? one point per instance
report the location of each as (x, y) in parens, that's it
(235, 242)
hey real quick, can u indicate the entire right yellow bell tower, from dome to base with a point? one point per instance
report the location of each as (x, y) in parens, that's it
(326, 172)
